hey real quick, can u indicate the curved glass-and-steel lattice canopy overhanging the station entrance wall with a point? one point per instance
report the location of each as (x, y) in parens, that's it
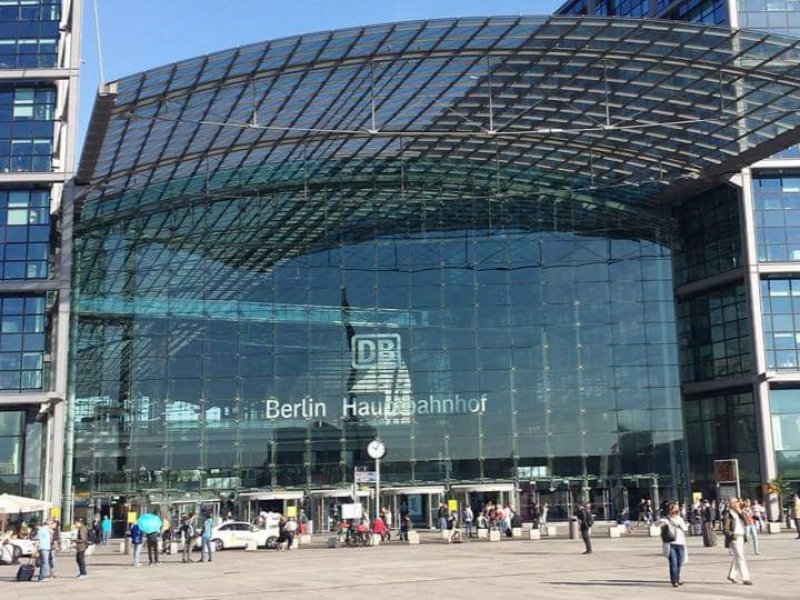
(610, 112)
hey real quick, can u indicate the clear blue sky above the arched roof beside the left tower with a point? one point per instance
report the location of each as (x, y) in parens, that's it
(136, 35)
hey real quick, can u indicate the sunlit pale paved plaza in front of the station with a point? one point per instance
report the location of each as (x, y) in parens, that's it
(619, 568)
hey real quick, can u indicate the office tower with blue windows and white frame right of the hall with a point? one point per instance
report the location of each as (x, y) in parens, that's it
(736, 307)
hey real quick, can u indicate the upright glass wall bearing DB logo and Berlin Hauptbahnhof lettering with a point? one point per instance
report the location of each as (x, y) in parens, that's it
(475, 338)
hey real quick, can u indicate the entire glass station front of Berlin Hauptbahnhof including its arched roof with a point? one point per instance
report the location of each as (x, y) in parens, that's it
(485, 241)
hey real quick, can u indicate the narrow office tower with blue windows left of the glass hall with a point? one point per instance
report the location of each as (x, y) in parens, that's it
(39, 60)
